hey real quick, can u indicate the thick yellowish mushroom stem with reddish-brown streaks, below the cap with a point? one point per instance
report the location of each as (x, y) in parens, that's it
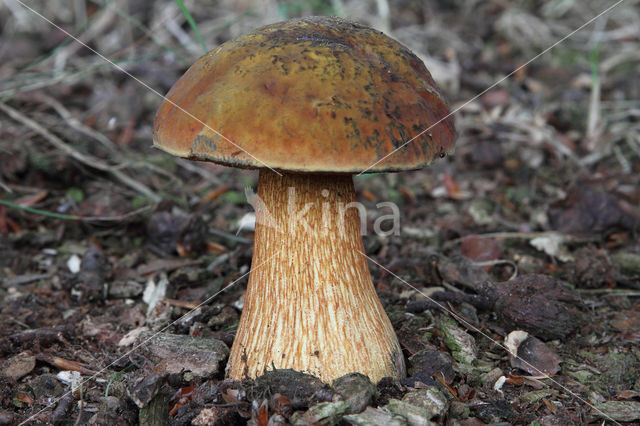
(310, 303)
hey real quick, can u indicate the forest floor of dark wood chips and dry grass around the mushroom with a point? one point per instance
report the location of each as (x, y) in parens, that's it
(513, 283)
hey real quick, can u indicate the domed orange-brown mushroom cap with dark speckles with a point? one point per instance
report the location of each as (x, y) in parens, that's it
(317, 94)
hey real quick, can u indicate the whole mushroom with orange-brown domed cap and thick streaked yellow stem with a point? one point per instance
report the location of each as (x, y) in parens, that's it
(309, 102)
